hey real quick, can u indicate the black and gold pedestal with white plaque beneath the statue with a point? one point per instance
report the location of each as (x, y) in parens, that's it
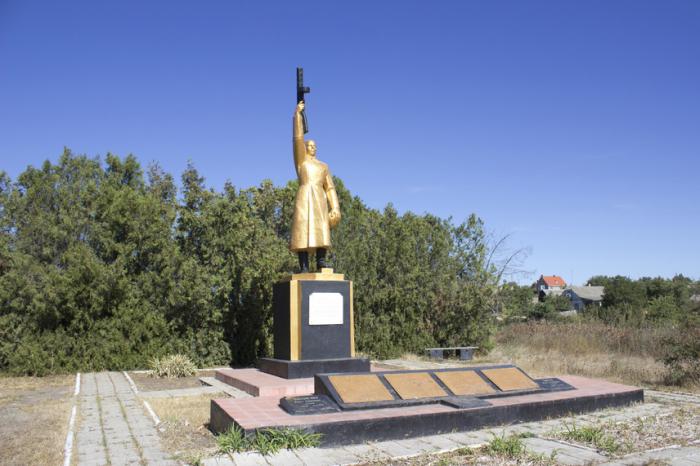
(313, 327)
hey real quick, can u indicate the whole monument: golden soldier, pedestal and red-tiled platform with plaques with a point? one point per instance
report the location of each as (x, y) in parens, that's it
(315, 383)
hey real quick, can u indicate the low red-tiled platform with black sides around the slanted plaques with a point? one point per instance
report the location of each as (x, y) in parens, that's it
(356, 426)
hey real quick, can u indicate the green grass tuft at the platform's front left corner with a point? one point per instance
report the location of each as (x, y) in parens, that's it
(266, 441)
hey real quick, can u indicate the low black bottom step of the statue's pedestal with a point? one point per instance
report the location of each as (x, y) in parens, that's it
(309, 367)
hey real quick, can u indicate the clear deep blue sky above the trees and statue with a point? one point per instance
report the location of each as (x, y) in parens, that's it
(575, 126)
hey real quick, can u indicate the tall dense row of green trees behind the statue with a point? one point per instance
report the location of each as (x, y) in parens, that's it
(103, 267)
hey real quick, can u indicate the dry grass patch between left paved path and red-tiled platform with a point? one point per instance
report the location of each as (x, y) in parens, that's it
(185, 421)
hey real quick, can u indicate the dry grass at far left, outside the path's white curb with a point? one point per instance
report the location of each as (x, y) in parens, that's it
(35, 413)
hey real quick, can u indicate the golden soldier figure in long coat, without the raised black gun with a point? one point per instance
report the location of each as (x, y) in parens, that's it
(316, 208)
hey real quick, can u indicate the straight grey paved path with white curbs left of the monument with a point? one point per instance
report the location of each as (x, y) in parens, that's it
(113, 427)
